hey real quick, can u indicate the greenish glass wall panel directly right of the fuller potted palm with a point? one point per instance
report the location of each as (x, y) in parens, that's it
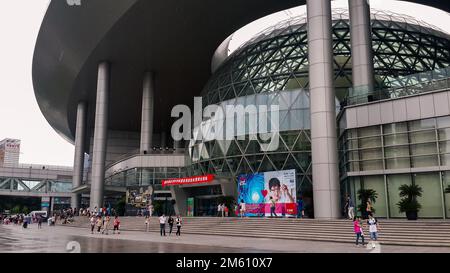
(431, 199)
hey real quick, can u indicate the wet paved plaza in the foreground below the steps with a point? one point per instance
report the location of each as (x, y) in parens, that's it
(14, 238)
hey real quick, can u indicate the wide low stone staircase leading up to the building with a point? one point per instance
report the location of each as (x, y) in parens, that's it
(393, 232)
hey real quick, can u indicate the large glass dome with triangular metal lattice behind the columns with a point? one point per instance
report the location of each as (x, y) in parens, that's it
(275, 62)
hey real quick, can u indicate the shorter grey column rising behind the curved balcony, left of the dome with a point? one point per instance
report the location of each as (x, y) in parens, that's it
(148, 98)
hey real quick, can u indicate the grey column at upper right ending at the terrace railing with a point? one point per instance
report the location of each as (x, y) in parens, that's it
(361, 44)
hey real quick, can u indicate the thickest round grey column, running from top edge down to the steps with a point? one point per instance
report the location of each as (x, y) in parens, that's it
(323, 111)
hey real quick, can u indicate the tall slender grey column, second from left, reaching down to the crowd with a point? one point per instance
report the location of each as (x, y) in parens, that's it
(100, 136)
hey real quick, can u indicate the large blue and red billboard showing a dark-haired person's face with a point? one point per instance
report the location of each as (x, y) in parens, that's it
(261, 191)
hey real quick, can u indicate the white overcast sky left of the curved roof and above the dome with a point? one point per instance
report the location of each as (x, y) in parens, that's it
(20, 116)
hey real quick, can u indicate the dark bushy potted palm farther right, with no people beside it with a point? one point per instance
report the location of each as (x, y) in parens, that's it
(409, 204)
